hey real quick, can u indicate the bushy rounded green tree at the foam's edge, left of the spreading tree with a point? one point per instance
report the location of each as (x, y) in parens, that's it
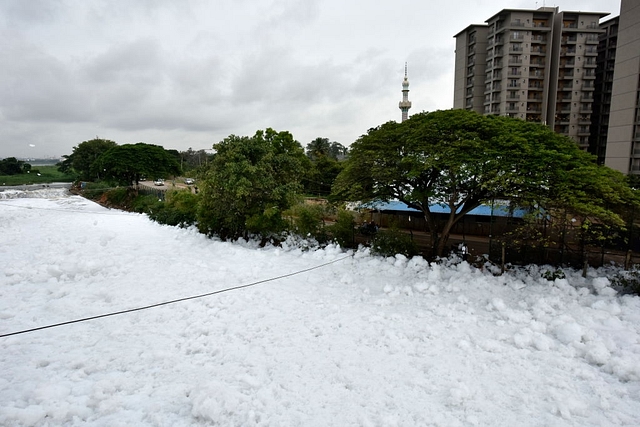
(249, 183)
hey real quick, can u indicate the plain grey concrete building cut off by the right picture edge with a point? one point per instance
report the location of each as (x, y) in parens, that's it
(623, 134)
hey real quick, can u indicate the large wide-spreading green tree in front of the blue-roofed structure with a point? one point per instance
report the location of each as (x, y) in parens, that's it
(461, 159)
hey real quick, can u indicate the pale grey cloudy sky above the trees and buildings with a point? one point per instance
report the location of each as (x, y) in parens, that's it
(189, 73)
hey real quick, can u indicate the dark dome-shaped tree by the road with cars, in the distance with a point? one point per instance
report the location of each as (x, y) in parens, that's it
(126, 163)
